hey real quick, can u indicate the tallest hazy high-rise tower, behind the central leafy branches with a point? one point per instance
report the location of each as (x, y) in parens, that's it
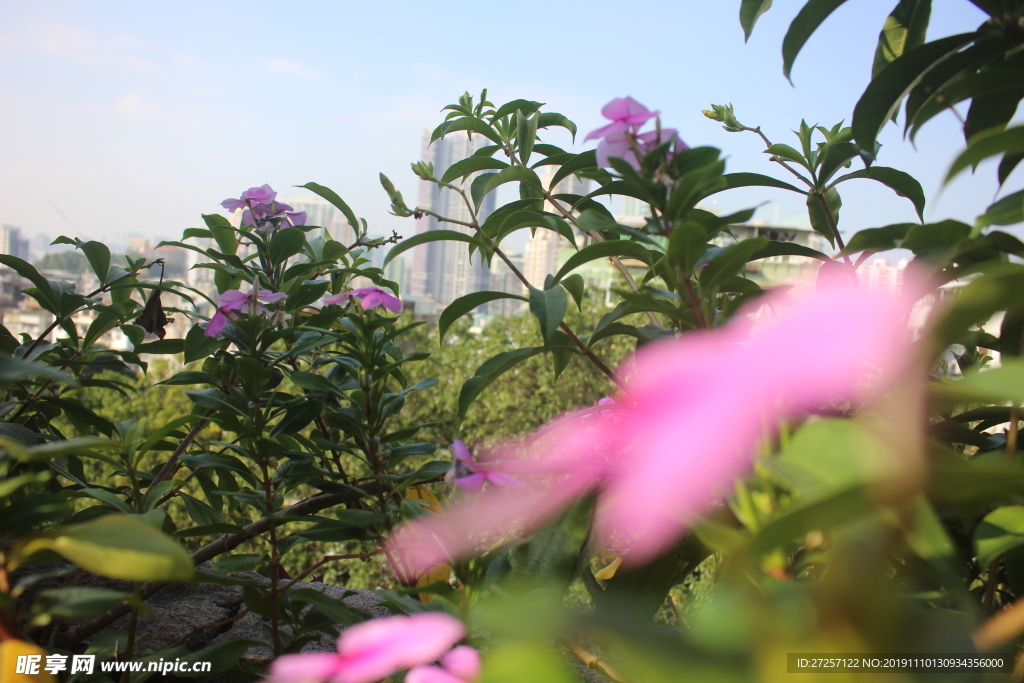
(444, 270)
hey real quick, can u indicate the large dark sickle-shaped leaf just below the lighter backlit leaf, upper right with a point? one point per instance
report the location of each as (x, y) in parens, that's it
(882, 98)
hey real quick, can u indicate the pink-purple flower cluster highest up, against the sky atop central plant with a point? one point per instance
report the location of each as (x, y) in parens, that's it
(623, 139)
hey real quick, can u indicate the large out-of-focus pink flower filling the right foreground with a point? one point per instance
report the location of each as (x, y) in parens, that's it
(693, 412)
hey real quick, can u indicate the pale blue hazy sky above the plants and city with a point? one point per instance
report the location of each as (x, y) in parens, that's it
(138, 117)
